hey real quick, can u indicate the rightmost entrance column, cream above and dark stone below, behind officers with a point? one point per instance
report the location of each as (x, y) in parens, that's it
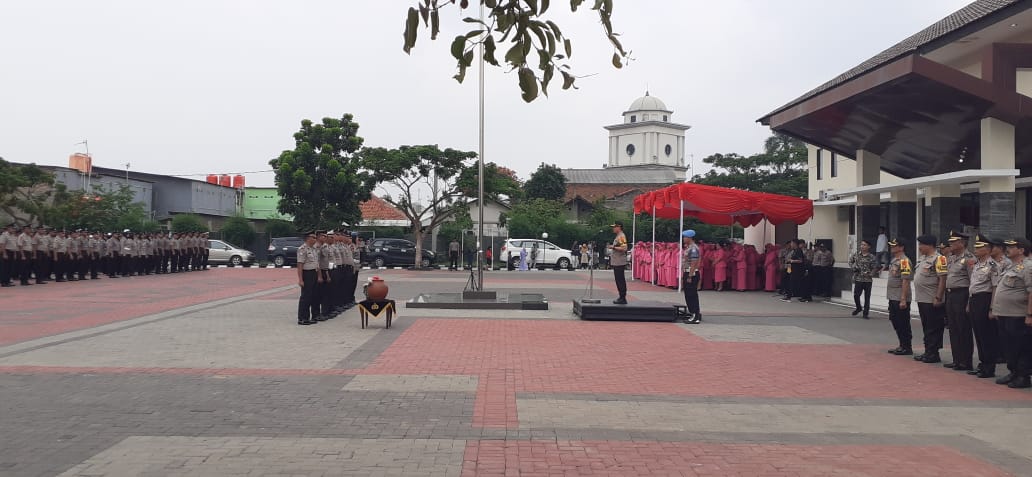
(996, 196)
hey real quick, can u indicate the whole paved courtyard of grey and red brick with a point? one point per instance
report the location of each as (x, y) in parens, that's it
(206, 374)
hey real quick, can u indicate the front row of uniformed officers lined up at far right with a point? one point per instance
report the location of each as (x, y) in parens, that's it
(985, 298)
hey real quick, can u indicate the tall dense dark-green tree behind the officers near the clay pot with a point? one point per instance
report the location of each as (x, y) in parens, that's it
(320, 182)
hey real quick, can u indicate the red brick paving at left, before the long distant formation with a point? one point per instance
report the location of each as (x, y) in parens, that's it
(44, 310)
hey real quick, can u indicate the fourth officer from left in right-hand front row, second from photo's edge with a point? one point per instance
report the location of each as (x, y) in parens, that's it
(985, 277)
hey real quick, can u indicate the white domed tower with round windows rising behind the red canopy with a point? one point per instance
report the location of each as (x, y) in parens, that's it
(648, 137)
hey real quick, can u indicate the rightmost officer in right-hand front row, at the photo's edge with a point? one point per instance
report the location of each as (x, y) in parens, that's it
(1013, 306)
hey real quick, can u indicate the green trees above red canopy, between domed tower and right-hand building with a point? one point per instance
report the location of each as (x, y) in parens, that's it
(780, 170)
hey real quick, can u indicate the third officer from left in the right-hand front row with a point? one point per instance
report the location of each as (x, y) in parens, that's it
(958, 284)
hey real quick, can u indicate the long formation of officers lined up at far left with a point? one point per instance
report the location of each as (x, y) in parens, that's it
(44, 255)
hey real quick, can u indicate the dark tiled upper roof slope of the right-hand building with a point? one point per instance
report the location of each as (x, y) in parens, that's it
(969, 16)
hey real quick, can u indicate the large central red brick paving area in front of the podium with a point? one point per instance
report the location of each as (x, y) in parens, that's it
(651, 359)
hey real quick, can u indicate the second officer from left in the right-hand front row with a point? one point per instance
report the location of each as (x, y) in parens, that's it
(930, 285)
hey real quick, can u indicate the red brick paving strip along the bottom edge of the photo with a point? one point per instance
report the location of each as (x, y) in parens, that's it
(529, 459)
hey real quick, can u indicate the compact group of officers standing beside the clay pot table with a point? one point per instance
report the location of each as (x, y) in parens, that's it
(328, 274)
